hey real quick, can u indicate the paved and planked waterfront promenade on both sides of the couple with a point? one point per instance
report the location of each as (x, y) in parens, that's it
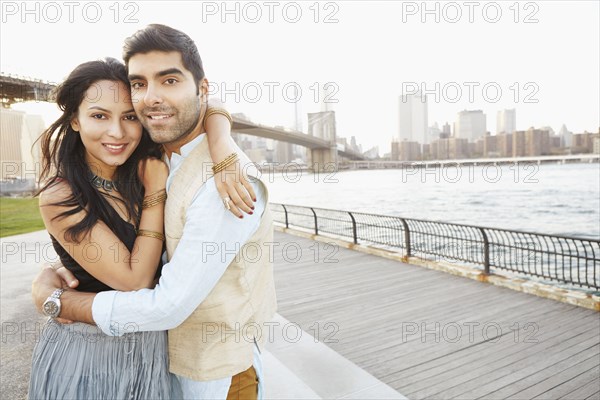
(386, 330)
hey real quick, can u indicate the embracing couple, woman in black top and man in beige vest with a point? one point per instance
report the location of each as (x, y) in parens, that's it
(159, 227)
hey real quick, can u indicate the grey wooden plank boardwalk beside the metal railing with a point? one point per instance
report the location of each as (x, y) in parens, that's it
(432, 335)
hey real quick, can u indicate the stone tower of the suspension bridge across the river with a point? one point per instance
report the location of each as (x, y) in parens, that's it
(322, 125)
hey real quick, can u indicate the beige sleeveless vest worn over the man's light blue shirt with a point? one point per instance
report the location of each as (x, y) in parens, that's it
(217, 340)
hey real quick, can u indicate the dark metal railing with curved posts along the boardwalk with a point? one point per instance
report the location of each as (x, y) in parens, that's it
(569, 260)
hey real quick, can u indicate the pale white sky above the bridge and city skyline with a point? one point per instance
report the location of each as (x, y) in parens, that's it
(268, 59)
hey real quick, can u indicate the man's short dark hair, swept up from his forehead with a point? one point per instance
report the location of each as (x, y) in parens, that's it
(157, 37)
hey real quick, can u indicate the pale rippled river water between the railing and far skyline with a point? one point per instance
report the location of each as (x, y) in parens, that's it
(562, 199)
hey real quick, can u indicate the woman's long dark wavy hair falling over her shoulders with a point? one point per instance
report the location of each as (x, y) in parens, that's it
(63, 155)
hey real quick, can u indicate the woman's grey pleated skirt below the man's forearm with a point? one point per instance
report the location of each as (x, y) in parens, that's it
(78, 361)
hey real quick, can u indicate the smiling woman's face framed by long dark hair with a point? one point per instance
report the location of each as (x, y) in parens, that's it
(108, 126)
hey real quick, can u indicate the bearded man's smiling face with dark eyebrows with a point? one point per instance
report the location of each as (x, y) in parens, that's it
(164, 95)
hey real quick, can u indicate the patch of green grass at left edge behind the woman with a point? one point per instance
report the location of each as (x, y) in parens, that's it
(19, 216)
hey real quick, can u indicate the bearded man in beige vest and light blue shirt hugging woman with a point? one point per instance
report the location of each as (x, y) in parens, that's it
(216, 290)
